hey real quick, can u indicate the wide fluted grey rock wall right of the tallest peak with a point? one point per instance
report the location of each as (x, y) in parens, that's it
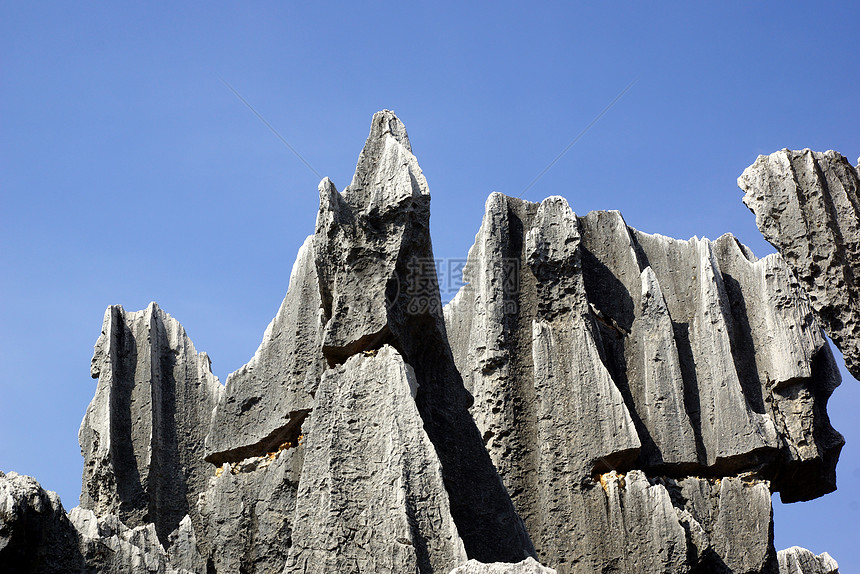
(590, 346)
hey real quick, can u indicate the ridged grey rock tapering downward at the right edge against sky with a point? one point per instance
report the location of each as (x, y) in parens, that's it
(806, 204)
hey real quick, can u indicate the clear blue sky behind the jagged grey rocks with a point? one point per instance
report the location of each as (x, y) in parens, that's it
(129, 172)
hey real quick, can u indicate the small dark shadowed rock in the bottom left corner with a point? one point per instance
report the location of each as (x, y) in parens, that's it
(35, 534)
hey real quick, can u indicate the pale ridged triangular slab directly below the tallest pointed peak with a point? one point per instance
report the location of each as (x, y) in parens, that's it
(371, 497)
